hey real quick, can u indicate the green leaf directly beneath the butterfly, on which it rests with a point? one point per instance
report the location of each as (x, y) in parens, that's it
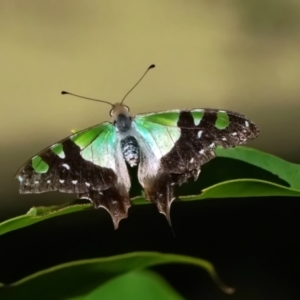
(288, 173)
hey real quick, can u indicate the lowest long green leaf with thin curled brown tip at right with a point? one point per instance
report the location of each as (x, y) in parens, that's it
(85, 277)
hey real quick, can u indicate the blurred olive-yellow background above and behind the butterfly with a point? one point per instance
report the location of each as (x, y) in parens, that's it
(238, 54)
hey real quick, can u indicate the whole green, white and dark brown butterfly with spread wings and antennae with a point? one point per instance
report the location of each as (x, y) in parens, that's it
(168, 147)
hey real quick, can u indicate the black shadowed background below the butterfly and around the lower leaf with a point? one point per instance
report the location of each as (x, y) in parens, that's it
(253, 242)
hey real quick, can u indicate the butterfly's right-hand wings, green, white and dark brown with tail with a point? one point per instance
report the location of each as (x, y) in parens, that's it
(174, 145)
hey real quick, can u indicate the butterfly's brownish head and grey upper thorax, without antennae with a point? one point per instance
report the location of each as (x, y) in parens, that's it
(121, 117)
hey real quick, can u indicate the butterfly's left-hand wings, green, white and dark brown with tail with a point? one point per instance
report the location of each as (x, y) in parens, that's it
(88, 163)
